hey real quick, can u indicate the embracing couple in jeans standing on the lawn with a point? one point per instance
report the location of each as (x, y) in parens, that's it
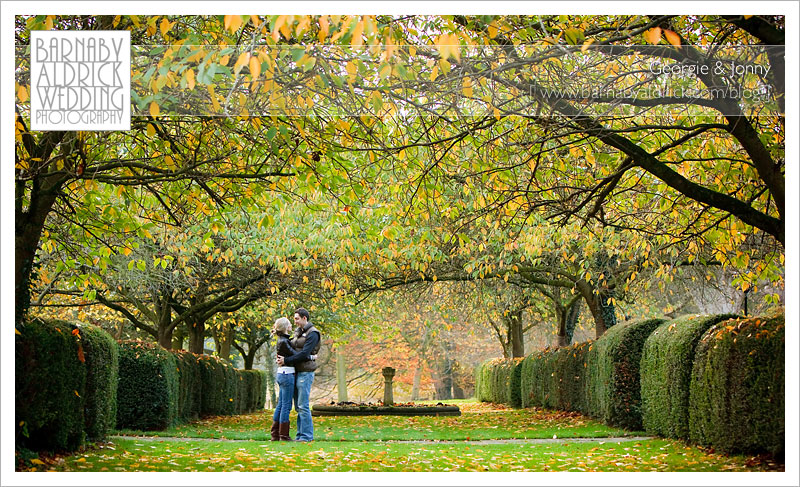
(296, 364)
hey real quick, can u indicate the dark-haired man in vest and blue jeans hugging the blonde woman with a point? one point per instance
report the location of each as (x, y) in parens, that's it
(307, 342)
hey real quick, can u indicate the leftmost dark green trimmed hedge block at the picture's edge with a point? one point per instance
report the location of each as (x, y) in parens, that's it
(50, 384)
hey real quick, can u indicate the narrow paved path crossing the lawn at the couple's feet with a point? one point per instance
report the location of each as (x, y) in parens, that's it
(532, 441)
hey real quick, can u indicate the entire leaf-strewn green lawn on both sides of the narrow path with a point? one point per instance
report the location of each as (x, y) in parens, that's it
(370, 443)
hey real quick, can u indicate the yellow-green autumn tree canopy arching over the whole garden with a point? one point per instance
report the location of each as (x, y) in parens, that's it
(328, 158)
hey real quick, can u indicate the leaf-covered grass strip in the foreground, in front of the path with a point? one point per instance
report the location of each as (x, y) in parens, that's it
(136, 455)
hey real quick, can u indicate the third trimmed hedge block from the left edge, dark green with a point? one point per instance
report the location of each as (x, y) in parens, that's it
(147, 394)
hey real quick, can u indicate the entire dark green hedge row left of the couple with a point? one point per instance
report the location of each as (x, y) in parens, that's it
(75, 383)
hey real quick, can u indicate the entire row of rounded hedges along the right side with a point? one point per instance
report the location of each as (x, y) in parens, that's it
(709, 379)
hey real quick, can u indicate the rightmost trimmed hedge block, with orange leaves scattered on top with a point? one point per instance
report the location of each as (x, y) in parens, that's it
(736, 394)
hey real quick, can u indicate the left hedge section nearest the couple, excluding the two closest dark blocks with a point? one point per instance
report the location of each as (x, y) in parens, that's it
(159, 388)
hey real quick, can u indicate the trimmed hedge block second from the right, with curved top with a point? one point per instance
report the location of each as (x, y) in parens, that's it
(666, 371)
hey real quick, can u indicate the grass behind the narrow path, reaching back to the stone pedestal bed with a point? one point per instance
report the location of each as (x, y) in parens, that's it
(479, 421)
